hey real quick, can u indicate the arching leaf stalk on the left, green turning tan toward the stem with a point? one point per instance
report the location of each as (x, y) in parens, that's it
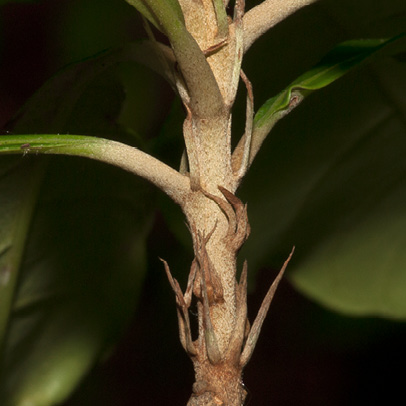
(118, 154)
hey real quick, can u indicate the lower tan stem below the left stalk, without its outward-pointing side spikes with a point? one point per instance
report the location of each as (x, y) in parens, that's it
(214, 225)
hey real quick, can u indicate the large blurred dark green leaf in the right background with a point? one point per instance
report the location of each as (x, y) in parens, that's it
(335, 188)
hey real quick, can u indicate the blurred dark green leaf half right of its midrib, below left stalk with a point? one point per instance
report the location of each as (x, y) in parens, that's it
(81, 276)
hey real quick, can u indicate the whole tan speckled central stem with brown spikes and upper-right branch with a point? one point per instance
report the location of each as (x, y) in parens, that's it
(217, 219)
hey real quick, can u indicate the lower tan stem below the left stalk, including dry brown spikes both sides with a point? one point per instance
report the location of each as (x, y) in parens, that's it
(219, 226)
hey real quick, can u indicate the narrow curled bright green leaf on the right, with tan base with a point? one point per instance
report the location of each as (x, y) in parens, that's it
(342, 59)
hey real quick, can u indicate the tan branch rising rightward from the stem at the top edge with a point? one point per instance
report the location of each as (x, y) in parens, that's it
(266, 15)
